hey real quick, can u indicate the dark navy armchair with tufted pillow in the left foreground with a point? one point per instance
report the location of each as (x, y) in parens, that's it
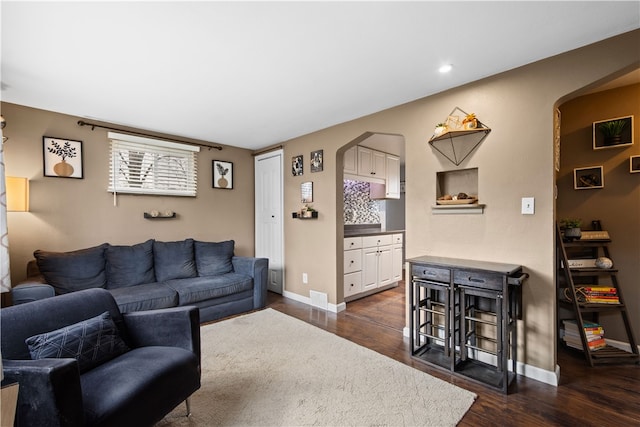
(80, 362)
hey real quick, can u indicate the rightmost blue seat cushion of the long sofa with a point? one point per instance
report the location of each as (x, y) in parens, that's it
(208, 287)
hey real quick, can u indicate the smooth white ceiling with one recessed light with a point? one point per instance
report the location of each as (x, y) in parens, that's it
(253, 74)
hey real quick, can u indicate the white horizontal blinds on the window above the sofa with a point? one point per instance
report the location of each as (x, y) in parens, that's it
(148, 166)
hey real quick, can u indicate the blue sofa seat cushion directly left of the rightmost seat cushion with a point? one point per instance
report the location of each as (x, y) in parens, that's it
(148, 296)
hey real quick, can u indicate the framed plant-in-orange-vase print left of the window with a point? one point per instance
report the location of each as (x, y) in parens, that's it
(62, 158)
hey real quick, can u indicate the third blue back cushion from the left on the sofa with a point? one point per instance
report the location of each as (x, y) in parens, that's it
(174, 260)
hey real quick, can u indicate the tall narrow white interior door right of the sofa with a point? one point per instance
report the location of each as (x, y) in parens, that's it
(269, 205)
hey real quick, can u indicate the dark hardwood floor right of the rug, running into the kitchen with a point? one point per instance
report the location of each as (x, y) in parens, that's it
(599, 396)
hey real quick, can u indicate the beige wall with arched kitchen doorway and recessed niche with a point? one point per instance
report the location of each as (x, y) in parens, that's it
(516, 160)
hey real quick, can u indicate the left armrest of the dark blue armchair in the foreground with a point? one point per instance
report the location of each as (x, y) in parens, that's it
(49, 391)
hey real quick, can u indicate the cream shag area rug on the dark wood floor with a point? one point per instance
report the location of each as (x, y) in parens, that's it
(270, 369)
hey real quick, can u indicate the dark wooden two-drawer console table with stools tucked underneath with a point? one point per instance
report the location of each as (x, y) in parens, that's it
(463, 317)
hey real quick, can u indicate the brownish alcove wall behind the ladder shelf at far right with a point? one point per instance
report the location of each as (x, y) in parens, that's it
(617, 205)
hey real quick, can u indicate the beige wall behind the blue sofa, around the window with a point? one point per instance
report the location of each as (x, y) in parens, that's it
(69, 214)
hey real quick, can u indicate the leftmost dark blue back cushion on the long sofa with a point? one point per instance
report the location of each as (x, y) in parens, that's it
(75, 270)
